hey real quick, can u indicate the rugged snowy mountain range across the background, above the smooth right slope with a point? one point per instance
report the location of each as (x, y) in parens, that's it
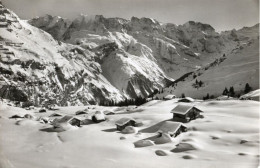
(92, 58)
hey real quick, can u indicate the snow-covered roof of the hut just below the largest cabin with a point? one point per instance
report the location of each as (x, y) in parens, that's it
(170, 127)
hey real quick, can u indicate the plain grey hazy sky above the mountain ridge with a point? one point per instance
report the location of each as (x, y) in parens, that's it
(221, 14)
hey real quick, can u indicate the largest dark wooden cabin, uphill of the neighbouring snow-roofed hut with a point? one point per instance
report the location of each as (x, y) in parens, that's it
(186, 112)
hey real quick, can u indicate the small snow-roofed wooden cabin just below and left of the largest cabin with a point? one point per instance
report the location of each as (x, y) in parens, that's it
(172, 128)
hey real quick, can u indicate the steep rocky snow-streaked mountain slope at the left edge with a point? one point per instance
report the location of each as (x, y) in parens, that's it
(46, 69)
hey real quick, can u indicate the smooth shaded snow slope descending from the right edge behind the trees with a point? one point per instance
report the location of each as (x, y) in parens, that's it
(236, 69)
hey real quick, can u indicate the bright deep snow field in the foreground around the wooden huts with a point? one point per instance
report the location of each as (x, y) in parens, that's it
(227, 136)
